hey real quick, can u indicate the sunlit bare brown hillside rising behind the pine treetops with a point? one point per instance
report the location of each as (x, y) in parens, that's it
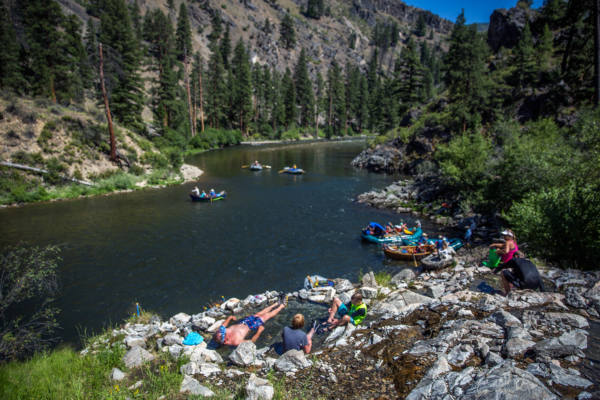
(325, 39)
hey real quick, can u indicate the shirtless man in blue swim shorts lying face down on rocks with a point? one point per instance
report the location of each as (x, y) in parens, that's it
(236, 334)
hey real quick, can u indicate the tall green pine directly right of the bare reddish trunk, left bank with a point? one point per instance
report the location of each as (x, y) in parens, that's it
(122, 64)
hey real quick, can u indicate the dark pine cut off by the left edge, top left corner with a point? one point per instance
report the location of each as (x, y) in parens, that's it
(10, 71)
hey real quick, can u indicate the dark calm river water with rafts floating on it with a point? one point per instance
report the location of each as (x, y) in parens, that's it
(158, 248)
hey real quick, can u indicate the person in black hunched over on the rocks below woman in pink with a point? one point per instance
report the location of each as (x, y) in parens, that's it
(519, 273)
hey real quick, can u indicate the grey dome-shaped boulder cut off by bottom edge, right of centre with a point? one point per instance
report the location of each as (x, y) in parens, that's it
(507, 382)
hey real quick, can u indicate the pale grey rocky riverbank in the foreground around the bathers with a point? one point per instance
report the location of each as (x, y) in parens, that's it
(432, 336)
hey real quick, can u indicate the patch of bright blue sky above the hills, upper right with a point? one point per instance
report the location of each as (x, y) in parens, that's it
(475, 11)
